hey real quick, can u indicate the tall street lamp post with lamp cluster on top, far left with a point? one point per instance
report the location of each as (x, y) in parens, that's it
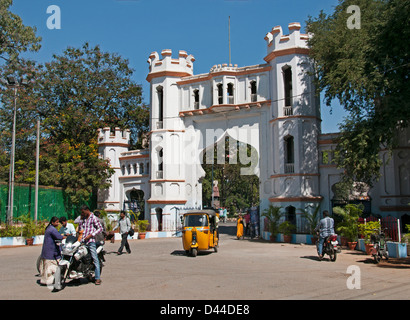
(14, 84)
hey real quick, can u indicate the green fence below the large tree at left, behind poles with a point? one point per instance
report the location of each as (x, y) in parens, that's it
(51, 202)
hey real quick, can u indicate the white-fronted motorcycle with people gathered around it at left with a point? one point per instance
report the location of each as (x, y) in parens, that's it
(76, 262)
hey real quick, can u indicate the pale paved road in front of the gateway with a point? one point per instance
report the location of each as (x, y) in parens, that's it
(158, 269)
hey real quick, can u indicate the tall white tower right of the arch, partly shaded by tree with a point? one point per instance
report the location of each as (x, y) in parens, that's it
(295, 124)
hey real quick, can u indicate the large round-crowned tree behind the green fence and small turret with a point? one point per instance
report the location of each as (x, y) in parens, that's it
(73, 95)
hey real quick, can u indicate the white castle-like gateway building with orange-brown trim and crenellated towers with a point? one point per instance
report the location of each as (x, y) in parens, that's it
(271, 106)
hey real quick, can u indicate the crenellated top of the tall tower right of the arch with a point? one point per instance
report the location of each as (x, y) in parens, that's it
(279, 44)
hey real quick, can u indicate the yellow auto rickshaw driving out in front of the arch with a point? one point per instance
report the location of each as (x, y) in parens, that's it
(200, 231)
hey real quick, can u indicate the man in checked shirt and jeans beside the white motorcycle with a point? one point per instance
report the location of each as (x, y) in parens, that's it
(91, 226)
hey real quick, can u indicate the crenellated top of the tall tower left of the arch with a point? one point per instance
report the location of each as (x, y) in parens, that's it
(168, 66)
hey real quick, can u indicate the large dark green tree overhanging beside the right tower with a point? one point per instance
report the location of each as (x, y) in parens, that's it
(367, 70)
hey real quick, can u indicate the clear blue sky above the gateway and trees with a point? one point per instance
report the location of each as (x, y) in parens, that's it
(135, 28)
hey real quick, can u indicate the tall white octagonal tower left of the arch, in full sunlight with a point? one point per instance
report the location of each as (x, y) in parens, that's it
(168, 179)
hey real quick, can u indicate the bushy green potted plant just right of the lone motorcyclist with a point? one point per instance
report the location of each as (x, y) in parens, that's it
(348, 227)
